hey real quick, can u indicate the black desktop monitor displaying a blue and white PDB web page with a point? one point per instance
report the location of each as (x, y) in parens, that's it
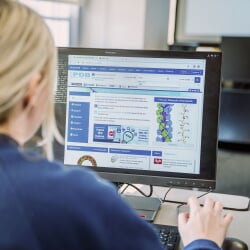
(140, 116)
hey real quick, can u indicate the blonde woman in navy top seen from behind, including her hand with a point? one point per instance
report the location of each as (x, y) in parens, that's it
(43, 205)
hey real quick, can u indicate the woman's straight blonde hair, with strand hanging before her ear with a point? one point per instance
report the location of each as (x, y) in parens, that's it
(26, 48)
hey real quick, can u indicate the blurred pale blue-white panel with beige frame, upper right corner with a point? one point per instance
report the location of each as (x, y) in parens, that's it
(205, 22)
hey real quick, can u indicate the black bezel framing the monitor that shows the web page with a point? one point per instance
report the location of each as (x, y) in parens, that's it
(209, 141)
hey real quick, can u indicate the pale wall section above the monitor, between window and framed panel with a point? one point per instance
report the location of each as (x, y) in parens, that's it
(125, 24)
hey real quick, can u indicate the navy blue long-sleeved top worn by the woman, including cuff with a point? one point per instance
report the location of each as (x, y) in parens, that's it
(46, 206)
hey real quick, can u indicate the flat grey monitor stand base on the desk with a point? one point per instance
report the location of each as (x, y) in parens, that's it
(145, 207)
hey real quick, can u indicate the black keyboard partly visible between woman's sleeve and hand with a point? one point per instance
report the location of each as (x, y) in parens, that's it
(169, 236)
